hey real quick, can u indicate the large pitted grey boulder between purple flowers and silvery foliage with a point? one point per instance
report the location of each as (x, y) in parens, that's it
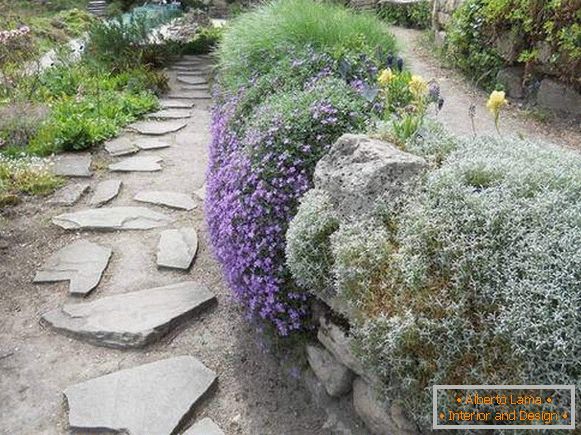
(358, 171)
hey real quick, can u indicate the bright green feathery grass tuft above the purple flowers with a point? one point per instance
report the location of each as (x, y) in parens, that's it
(258, 39)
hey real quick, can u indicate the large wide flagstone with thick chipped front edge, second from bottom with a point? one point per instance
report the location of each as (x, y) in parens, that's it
(131, 320)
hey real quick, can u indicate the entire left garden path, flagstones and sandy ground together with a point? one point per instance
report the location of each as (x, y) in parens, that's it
(143, 353)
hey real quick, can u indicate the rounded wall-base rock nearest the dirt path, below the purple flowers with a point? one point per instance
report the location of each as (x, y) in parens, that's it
(336, 378)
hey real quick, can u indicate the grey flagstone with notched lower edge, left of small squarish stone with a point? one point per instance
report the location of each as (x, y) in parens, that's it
(82, 263)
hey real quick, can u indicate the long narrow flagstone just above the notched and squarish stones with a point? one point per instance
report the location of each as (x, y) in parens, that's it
(112, 218)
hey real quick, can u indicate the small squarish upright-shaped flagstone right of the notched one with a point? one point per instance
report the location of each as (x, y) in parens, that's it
(177, 248)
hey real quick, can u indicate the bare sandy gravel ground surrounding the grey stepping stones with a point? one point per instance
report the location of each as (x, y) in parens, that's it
(253, 395)
